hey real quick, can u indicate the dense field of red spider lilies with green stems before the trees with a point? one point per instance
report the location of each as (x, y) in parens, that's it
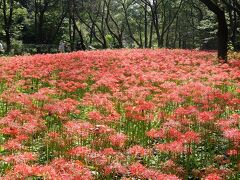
(120, 114)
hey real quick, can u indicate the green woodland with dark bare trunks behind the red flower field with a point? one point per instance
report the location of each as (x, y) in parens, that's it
(37, 26)
